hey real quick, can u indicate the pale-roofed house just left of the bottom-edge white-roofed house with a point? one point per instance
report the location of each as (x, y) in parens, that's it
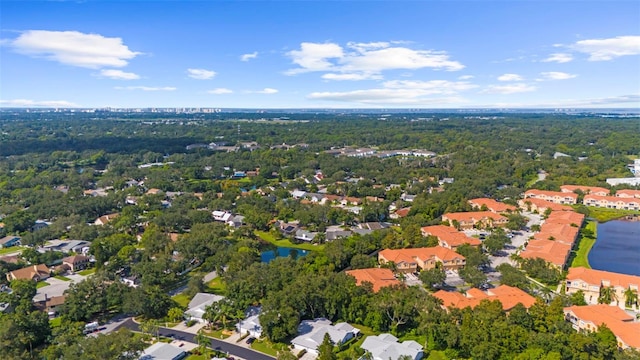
(311, 333)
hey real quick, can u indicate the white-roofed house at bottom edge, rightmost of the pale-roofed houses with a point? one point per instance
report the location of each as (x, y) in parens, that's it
(386, 346)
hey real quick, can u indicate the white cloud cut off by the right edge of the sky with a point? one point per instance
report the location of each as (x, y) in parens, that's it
(608, 49)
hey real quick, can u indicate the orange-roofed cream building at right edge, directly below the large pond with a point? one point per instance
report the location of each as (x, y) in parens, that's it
(591, 281)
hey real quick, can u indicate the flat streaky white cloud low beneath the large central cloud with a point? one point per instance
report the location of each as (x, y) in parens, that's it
(402, 92)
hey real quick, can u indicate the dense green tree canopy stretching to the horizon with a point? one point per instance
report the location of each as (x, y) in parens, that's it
(50, 160)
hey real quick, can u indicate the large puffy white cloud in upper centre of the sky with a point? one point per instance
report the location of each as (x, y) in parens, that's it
(365, 58)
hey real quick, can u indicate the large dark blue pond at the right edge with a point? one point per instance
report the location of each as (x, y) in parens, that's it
(617, 247)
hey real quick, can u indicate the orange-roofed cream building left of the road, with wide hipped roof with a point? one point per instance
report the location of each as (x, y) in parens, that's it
(413, 260)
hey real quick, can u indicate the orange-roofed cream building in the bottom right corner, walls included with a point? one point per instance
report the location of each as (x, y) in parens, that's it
(591, 317)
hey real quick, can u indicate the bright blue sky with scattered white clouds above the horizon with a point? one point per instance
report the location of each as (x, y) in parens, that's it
(306, 54)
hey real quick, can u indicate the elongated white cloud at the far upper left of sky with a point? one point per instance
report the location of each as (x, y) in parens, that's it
(74, 48)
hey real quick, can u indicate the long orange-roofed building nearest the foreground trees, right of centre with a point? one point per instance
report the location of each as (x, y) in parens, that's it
(508, 296)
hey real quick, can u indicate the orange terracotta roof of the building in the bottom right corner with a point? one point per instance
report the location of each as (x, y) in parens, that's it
(616, 319)
